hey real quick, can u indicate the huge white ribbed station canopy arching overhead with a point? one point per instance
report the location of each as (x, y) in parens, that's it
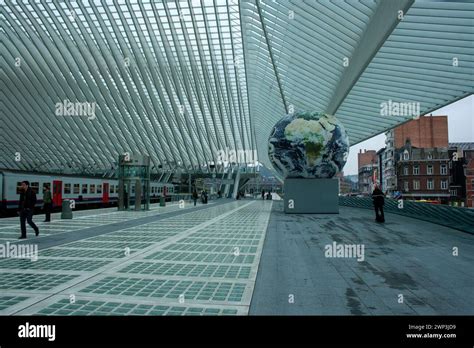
(85, 81)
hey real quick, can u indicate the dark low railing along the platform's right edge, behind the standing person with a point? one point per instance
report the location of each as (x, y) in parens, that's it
(461, 219)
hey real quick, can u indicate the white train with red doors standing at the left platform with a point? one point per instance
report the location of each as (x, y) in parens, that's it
(85, 191)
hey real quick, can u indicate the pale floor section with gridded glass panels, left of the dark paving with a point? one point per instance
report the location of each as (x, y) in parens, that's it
(200, 262)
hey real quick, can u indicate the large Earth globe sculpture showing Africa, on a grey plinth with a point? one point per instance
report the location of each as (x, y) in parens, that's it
(308, 145)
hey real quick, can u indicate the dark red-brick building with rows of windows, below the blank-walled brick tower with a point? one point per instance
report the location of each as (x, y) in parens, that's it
(423, 173)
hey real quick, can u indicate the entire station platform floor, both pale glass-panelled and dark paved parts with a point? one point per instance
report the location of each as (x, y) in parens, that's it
(236, 258)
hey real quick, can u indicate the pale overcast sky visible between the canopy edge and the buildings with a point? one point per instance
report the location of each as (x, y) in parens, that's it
(460, 128)
